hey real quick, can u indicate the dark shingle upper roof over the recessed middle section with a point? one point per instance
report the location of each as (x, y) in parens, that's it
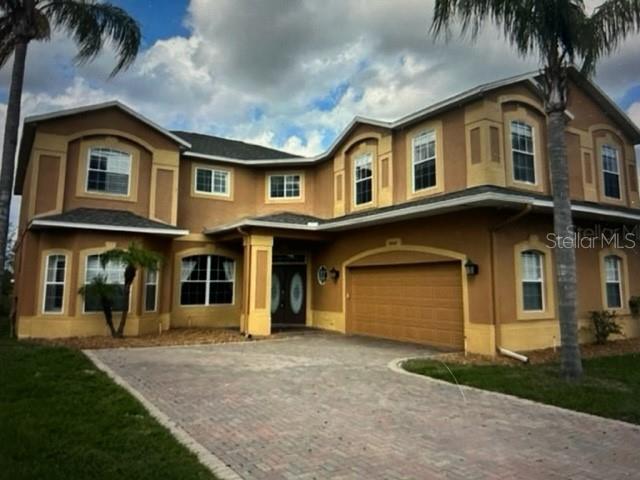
(225, 147)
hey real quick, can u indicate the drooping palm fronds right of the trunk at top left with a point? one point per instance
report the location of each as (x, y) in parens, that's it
(91, 24)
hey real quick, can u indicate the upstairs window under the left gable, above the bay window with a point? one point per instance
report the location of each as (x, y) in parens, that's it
(108, 171)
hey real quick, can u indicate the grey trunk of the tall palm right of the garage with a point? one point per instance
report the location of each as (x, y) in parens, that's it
(565, 258)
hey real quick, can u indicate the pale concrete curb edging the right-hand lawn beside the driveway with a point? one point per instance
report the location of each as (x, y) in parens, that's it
(396, 366)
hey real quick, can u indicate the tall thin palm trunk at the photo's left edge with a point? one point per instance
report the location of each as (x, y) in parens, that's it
(10, 143)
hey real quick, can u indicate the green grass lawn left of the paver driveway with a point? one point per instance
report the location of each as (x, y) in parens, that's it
(61, 418)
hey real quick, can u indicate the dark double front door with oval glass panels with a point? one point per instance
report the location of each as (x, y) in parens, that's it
(288, 295)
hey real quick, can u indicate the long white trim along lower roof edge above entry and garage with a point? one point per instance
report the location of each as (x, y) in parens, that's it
(488, 199)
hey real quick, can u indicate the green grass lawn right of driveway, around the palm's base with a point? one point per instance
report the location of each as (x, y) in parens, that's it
(610, 387)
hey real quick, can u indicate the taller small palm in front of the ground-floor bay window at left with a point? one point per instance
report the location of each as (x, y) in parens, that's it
(133, 258)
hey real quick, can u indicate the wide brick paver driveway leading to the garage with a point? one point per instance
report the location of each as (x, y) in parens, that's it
(324, 406)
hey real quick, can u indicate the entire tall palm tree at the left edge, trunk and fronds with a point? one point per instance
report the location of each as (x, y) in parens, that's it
(89, 23)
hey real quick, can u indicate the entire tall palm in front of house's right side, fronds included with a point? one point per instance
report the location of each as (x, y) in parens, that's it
(560, 33)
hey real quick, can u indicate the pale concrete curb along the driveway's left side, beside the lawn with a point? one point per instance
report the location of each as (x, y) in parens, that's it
(206, 457)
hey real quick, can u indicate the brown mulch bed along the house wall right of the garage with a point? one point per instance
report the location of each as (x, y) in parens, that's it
(618, 347)
